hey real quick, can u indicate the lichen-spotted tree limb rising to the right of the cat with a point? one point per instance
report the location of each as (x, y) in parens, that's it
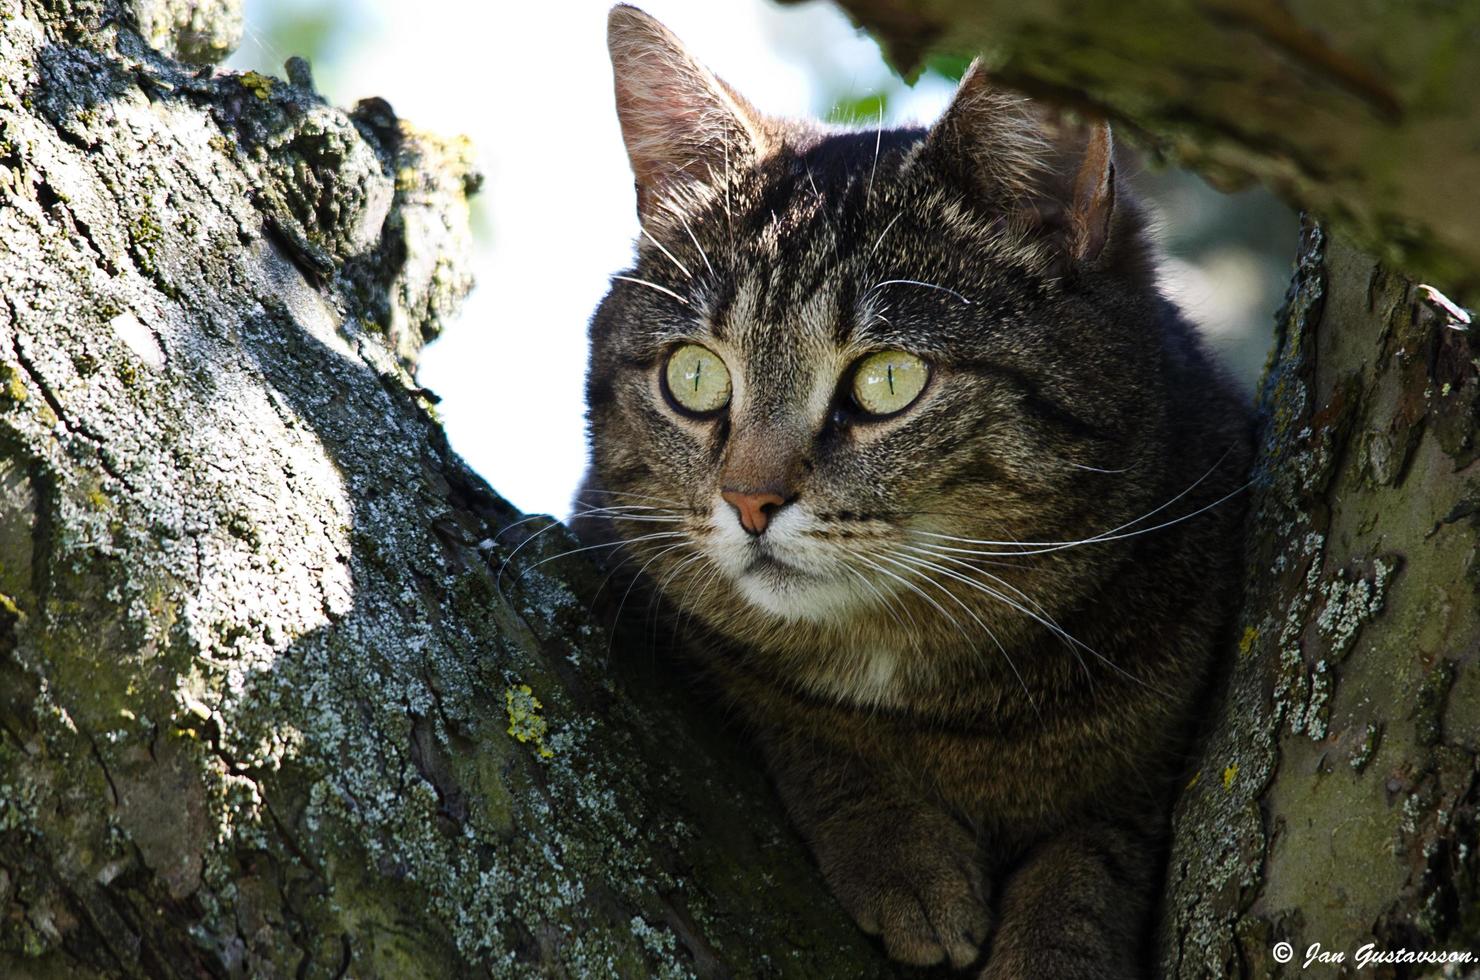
(1337, 799)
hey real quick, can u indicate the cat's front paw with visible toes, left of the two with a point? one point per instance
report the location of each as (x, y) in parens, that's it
(927, 904)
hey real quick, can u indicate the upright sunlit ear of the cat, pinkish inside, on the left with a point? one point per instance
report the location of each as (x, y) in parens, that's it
(680, 122)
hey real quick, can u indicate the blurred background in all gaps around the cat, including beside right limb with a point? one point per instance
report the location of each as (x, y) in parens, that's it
(531, 85)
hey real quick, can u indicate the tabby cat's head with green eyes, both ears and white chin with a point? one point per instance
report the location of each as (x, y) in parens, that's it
(856, 375)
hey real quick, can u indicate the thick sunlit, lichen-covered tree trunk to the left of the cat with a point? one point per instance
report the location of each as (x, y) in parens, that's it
(264, 705)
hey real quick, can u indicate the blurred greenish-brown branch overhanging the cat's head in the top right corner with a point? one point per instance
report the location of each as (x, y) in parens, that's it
(1365, 113)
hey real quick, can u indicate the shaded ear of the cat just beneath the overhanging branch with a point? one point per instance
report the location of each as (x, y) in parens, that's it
(1057, 184)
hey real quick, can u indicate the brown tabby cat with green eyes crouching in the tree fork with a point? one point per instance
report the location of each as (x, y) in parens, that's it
(943, 491)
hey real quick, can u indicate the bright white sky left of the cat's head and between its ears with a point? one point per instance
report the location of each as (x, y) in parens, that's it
(532, 85)
